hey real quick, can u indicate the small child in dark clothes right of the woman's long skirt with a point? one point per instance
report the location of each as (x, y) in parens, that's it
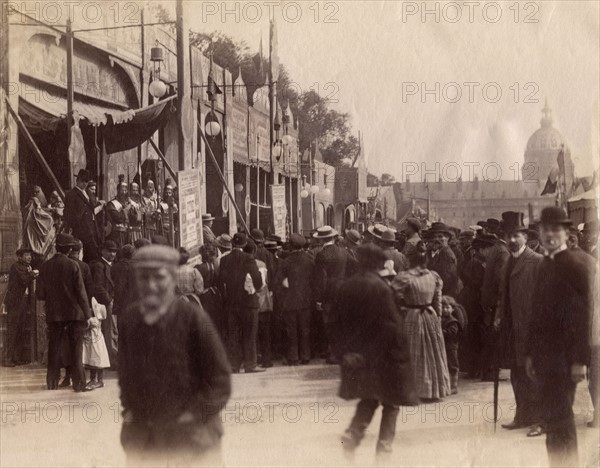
(453, 322)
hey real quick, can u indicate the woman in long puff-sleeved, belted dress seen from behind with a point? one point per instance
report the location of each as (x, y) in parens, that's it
(418, 294)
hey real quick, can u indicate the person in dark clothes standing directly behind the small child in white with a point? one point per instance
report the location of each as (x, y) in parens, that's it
(104, 289)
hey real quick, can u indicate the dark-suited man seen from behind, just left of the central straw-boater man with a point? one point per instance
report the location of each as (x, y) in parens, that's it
(294, 277)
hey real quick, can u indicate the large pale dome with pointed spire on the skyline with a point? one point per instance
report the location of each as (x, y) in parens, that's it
(542, 150)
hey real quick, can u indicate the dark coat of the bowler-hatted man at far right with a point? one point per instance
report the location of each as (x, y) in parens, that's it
(562, 306)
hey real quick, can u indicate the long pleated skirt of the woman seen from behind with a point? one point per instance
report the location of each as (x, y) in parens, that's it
(423, 332)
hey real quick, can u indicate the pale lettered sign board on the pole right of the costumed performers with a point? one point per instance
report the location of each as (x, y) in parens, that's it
(190, 217)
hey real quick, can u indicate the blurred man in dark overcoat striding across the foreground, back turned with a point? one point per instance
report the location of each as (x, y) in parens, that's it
(375, 358)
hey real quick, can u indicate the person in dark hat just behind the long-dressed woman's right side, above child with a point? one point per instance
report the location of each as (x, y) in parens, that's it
(442, 260)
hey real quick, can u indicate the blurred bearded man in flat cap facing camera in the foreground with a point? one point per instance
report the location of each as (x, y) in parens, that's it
(173, 371)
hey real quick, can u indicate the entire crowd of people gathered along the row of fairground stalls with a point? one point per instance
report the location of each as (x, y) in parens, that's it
(403, 313)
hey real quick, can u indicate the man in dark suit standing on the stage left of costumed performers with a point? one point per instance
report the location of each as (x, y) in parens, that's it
(79, 217)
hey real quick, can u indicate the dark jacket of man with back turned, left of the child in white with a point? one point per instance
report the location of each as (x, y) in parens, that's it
(61, 285)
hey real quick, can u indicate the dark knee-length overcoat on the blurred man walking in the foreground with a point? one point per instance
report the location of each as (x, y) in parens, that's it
(375, 357)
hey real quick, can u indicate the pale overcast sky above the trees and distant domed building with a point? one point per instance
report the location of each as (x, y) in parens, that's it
(379, 52)
